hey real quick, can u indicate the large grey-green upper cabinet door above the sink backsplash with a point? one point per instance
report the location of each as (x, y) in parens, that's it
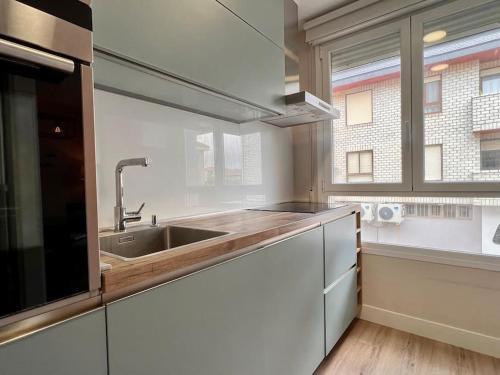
(198, 40)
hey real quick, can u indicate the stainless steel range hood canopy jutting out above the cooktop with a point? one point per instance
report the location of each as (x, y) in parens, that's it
(302, 108)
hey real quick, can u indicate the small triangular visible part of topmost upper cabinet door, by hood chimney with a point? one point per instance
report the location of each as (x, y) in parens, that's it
(267, 16)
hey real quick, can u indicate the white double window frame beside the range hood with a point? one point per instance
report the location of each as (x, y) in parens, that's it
(412, 114)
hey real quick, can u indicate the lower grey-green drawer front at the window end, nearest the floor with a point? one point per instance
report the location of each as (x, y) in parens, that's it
(340, 308)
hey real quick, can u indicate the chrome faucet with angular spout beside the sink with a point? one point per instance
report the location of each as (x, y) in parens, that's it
(121, 215)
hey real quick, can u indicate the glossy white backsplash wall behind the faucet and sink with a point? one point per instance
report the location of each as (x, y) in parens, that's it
(188, 174)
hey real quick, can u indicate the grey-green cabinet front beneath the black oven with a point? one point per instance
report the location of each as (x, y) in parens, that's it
(76, 346)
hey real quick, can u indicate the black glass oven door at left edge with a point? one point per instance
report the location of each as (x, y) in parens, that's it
(43, 232)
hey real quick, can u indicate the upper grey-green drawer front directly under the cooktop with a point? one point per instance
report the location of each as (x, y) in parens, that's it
(340, 247)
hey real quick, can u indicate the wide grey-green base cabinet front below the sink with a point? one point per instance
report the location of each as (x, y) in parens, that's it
(261, 314)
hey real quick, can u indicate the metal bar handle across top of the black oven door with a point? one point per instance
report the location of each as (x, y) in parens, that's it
(32, 55)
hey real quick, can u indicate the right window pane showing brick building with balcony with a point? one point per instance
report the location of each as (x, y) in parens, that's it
(462, 48)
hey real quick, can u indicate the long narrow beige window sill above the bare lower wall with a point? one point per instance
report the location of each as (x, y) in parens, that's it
(452, 258)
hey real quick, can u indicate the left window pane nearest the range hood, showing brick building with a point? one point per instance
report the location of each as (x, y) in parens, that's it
(366, 88)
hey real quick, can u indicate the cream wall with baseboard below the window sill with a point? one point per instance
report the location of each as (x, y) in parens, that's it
(453, 304)
